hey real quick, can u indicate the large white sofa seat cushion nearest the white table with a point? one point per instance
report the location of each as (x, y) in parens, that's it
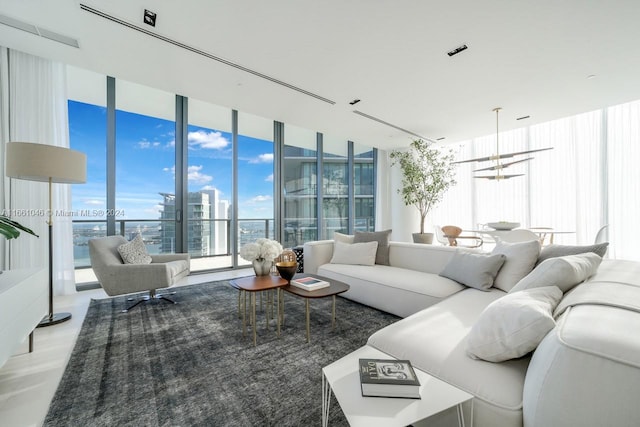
(434, 340)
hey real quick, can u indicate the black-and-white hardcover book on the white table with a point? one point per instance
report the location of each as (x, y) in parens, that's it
(388, 378)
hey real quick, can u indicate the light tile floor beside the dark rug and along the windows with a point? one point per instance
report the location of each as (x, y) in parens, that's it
(28, 381)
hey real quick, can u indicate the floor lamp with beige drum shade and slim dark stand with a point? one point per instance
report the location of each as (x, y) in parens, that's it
(47, 163)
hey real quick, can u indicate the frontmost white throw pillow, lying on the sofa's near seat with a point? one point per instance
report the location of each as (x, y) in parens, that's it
(513, 325)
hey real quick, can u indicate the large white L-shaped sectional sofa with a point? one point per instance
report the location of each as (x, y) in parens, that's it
(585, 372)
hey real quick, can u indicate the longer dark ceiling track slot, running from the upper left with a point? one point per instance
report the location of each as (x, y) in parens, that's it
(203, 53)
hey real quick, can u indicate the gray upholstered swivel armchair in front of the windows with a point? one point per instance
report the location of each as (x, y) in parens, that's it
(118, 278)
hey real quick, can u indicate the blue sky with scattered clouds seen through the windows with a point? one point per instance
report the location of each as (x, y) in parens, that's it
(145, 164)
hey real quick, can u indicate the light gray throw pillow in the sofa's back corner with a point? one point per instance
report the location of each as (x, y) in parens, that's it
(473, 270)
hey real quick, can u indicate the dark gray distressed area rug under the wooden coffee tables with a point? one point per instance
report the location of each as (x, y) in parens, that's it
(189, 365)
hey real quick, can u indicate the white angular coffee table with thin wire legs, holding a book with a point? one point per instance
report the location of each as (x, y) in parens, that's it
(342, 378)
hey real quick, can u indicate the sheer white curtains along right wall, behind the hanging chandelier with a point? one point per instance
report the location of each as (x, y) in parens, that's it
(589, 179)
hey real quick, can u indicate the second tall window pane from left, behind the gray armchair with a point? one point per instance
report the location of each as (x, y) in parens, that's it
(145, 165)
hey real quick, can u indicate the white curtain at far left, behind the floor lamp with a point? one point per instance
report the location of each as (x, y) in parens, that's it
(37, 112)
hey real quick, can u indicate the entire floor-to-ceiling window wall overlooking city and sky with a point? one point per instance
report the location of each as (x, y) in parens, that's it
(131, 132)
